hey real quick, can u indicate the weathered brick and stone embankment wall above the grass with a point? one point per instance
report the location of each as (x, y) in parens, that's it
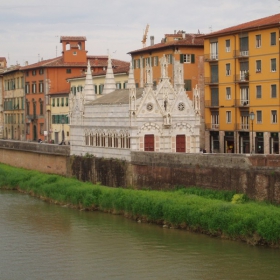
(258, 176)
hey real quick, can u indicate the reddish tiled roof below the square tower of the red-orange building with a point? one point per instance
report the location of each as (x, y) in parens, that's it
(96, 61)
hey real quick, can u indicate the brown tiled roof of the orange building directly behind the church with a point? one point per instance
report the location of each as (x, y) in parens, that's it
(192, 40)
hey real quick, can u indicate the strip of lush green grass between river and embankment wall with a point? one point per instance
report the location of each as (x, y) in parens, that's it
(217, 213)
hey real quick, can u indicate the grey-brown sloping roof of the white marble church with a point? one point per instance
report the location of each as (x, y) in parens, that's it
(119, 96)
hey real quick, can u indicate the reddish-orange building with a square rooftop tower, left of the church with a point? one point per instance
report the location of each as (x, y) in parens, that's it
(49, 77)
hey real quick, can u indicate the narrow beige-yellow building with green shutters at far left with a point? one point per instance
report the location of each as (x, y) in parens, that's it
(13, 104)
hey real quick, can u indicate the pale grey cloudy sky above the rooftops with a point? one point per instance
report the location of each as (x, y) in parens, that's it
(30, 29)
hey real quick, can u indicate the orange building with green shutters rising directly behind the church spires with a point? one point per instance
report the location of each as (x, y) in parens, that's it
(180, 46)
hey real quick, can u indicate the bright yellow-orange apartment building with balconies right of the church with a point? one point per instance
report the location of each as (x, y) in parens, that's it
(242, 88)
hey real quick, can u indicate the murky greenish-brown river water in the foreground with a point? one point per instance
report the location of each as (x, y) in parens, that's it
(43, 241)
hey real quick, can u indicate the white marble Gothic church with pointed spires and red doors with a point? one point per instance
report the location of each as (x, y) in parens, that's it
(111, 125)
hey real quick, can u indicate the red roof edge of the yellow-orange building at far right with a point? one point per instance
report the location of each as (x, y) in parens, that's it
(261, 23)
